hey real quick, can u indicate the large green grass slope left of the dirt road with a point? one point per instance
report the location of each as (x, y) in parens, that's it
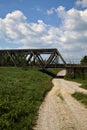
(21, 93)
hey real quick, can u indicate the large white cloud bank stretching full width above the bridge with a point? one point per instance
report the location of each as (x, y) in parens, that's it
(70, 38)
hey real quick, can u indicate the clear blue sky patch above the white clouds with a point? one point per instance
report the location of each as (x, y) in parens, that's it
(34, 10)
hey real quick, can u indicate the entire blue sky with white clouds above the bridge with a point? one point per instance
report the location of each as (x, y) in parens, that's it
(60, 24)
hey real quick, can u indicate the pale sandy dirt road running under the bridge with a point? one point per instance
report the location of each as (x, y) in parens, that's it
(60, 111)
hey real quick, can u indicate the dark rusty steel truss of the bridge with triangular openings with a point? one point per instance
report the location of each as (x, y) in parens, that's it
(32, 57)
